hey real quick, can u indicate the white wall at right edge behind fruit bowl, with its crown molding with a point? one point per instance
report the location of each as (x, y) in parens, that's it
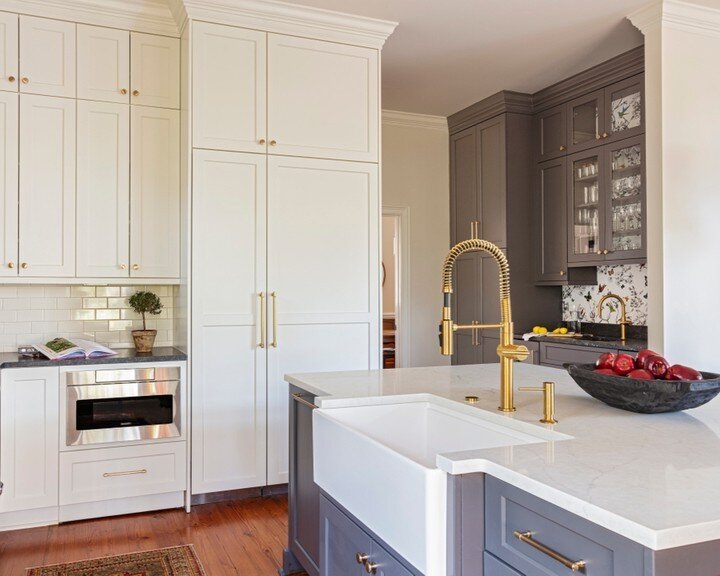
(682, 41)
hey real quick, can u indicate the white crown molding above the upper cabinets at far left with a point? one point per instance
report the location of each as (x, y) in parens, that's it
(152, 16)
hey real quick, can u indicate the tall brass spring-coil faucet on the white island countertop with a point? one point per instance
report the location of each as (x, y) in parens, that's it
(507, 351)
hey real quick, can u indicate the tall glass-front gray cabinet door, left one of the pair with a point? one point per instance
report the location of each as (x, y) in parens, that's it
(586, 207)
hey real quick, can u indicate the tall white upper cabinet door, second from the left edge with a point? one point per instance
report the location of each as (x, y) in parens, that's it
(47, 186)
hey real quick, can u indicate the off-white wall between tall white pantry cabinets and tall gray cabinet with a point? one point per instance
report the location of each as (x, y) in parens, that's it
(415, 175)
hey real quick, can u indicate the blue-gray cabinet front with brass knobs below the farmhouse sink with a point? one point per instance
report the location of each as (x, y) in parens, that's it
(347, 548)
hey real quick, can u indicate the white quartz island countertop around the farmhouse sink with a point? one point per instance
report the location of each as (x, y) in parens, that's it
(654, 479)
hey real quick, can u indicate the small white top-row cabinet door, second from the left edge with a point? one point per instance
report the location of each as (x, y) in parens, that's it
(47, 57)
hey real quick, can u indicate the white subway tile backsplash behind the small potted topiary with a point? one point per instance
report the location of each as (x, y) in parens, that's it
(37, 313)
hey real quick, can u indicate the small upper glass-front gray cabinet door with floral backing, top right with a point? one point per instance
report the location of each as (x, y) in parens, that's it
(625, 111)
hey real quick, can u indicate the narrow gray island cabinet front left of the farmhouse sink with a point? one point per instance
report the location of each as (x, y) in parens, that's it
(303, 552)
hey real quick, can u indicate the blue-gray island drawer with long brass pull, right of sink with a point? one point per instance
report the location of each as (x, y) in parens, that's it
(509, 511)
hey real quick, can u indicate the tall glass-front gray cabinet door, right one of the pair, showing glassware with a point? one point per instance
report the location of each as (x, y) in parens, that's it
(624, 167)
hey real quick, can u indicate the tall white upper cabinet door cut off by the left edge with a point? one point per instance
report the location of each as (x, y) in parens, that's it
(9, 182)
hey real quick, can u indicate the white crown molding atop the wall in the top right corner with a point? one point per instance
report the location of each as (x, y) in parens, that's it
(678, 15)
